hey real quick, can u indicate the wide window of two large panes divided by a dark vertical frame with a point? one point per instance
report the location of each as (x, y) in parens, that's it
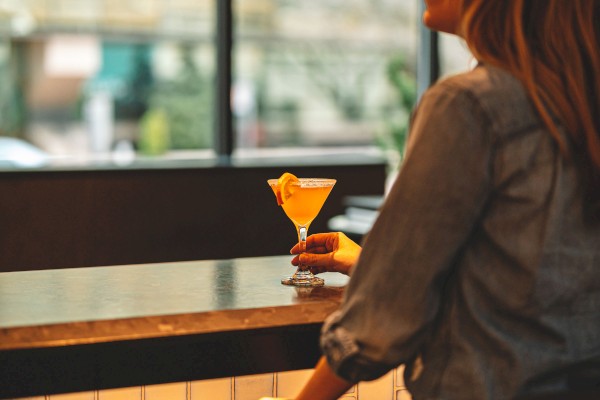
(133, 82)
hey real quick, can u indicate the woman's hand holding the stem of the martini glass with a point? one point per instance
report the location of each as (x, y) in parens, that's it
(328, 252)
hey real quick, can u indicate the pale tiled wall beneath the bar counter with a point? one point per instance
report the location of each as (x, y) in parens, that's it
(253, 387)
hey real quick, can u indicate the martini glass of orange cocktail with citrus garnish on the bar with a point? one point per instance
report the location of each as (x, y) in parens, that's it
(302, 205)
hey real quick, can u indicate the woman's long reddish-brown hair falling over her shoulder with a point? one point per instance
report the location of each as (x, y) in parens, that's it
(553, 48)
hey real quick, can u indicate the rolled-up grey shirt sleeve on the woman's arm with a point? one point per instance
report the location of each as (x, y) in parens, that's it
(394, 294)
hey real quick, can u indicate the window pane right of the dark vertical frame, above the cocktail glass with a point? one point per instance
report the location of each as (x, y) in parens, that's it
(320, 73)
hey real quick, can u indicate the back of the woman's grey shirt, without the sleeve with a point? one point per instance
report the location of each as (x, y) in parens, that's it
(522, 304)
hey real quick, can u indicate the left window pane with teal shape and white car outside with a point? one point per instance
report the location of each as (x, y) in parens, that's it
(105, 82)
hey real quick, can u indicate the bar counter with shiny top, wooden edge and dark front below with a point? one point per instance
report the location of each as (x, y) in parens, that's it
(68, 330)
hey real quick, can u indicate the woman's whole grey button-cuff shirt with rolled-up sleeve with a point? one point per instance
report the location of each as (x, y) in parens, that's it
(481, 273)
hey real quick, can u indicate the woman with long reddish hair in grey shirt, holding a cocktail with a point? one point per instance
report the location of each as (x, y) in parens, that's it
(482, 273)
